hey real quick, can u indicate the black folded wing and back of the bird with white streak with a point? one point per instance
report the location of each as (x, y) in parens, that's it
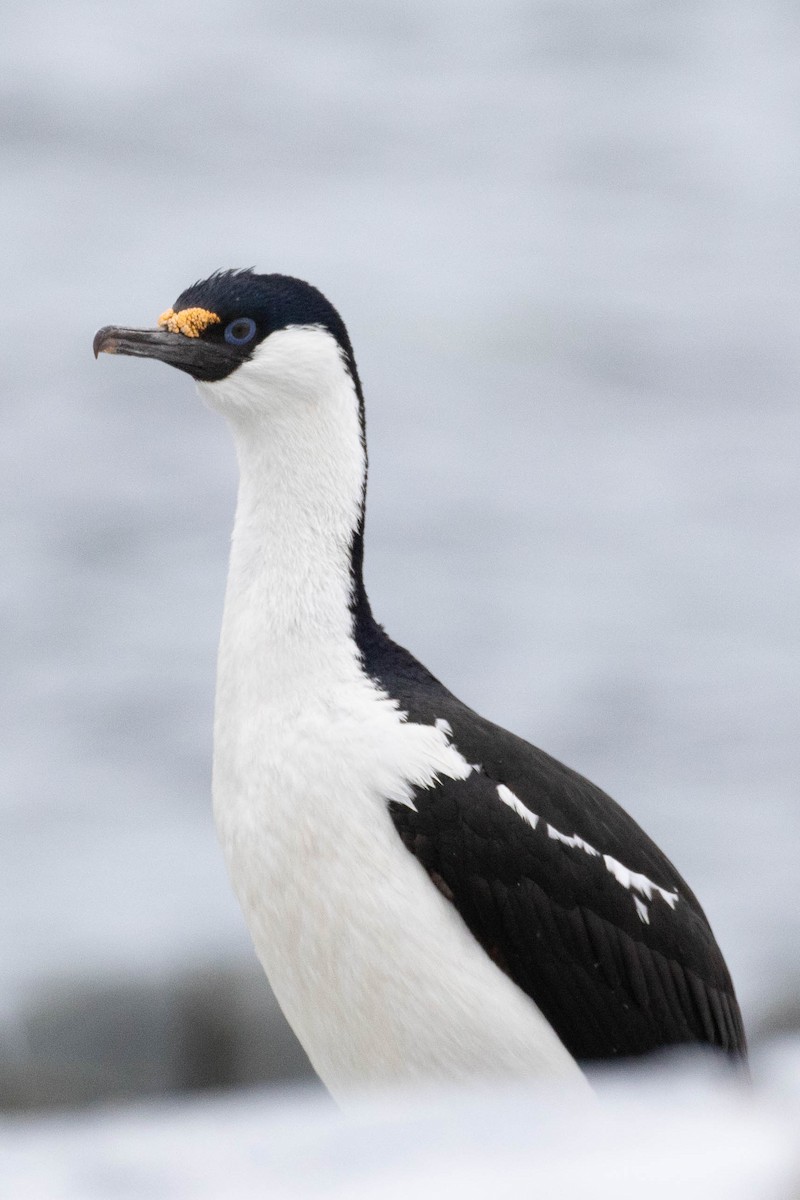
(615, 971)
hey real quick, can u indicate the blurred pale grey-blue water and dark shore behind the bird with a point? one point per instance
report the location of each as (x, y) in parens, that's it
(566, 241)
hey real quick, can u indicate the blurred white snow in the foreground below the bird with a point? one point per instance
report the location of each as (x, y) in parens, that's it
(684, 1131)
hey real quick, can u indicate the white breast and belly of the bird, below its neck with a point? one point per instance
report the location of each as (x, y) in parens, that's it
(372, 967)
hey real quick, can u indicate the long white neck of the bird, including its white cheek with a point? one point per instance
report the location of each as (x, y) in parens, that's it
(294, 415)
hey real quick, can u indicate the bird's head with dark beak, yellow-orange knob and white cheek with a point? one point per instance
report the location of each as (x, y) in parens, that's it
(255, 344)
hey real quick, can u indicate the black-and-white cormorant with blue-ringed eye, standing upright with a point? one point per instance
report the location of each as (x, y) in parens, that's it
(434, 899)
